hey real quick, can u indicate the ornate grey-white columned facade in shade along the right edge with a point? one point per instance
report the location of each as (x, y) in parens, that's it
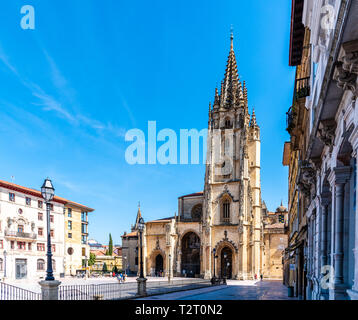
(328, 173)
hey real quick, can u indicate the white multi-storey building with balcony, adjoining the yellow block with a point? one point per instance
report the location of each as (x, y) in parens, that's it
(23, 233)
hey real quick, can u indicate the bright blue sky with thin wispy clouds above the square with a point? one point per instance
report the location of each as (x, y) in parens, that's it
(91, 70)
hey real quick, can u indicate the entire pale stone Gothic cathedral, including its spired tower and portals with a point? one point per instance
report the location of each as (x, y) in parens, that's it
(225, 230)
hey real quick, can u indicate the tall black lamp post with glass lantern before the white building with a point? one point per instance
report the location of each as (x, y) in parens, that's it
(48, 192)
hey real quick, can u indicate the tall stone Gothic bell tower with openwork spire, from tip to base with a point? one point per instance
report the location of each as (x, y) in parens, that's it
(232, 192)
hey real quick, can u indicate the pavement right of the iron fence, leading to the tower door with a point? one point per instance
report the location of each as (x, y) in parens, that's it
(235, 290)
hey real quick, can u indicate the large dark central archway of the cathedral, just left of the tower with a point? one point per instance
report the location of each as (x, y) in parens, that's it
(190, 260)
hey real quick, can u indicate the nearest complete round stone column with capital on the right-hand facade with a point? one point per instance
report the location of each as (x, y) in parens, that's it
(341, 175)
